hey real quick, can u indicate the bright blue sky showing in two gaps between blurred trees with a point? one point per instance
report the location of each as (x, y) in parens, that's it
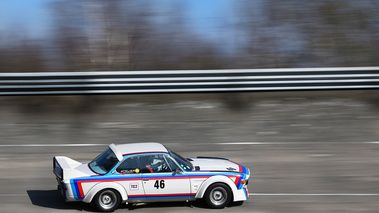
(32, 18)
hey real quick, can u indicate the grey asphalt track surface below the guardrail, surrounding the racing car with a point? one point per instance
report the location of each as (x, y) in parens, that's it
(305, 154)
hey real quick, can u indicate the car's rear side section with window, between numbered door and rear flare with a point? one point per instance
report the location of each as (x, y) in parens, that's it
(128, 175)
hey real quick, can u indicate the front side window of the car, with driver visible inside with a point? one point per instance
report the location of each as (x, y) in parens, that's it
(153, 164)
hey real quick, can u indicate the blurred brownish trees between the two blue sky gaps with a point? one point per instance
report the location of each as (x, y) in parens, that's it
(128, 35)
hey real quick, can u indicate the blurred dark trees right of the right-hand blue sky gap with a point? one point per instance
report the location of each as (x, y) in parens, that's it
(306, 33)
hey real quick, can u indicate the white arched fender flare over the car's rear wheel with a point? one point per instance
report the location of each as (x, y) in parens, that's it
(105, 185)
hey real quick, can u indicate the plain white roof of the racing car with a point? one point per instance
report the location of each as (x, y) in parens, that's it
(132, 148)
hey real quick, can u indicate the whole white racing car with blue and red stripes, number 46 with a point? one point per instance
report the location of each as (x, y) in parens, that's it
(149, 172)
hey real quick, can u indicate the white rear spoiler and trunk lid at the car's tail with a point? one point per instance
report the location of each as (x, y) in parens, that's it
(67, 168)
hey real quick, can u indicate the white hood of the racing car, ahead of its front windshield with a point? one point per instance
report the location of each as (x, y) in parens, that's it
(217, 164)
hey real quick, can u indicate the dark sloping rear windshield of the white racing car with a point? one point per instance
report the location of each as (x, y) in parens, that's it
(103, 163)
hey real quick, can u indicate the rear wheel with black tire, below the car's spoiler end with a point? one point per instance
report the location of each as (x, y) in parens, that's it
(107, 200)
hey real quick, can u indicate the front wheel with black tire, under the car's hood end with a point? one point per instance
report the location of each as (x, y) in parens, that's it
(218, 195)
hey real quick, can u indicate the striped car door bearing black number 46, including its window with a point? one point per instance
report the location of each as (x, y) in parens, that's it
(161, 179)
